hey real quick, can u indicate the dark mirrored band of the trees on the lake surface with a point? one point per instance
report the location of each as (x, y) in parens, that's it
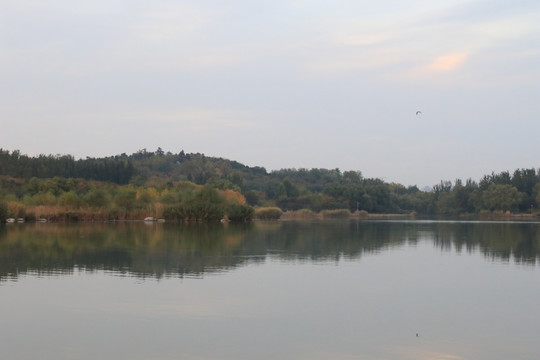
(193, 250)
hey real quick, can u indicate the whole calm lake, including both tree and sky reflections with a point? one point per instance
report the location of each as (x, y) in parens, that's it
(434, 290)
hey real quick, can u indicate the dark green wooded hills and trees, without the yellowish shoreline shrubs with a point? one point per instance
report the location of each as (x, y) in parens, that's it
(289, 189)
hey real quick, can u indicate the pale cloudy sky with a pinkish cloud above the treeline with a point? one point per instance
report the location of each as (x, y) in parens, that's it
(279, 84)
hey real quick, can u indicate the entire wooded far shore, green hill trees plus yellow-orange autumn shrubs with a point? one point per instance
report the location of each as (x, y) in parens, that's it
(197, 187)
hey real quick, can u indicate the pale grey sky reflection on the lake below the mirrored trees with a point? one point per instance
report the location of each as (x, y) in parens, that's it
(370, 308)
